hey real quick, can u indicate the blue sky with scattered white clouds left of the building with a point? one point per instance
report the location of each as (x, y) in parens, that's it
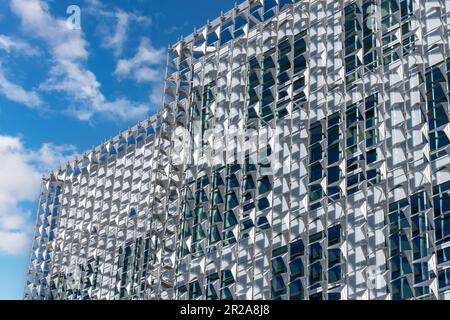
(64, 91)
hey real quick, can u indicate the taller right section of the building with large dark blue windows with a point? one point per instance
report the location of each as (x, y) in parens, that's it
(360, 113)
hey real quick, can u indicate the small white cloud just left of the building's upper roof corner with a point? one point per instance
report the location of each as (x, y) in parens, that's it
(145, 66)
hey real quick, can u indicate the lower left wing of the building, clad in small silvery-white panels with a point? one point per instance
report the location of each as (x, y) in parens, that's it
(96, 235)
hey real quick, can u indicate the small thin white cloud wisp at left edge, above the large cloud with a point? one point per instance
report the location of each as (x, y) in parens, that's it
(17, 93)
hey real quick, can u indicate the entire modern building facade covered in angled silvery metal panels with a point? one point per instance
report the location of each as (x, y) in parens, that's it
(302, 152)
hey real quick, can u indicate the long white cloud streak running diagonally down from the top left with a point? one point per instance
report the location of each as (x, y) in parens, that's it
(69, 74)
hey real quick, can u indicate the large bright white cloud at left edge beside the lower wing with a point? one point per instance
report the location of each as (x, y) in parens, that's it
(20, 175)
